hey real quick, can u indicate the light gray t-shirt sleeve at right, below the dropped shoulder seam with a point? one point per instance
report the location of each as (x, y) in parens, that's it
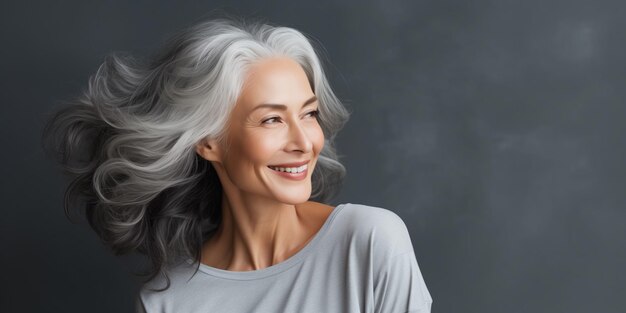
(401, 287)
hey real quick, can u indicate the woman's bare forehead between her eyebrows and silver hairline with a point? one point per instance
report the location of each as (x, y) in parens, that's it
(275, 80)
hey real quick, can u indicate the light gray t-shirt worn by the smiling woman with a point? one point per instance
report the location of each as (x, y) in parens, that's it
(361, 260)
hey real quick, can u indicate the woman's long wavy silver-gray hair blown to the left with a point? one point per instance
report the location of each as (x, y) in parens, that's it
(128, 142)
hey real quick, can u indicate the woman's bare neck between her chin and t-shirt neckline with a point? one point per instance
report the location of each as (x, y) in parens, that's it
(256, 233)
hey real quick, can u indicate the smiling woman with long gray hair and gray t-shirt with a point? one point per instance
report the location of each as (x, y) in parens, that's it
(215, 160)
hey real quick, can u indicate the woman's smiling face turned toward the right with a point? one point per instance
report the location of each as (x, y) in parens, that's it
(274, 124)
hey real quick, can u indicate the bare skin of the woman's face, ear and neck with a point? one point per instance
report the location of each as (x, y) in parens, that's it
(266, 218)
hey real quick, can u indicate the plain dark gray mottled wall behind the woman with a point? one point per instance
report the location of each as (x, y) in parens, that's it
(495, 129)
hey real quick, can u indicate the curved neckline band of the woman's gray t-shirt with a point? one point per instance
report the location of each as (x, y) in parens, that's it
(279, 267)
